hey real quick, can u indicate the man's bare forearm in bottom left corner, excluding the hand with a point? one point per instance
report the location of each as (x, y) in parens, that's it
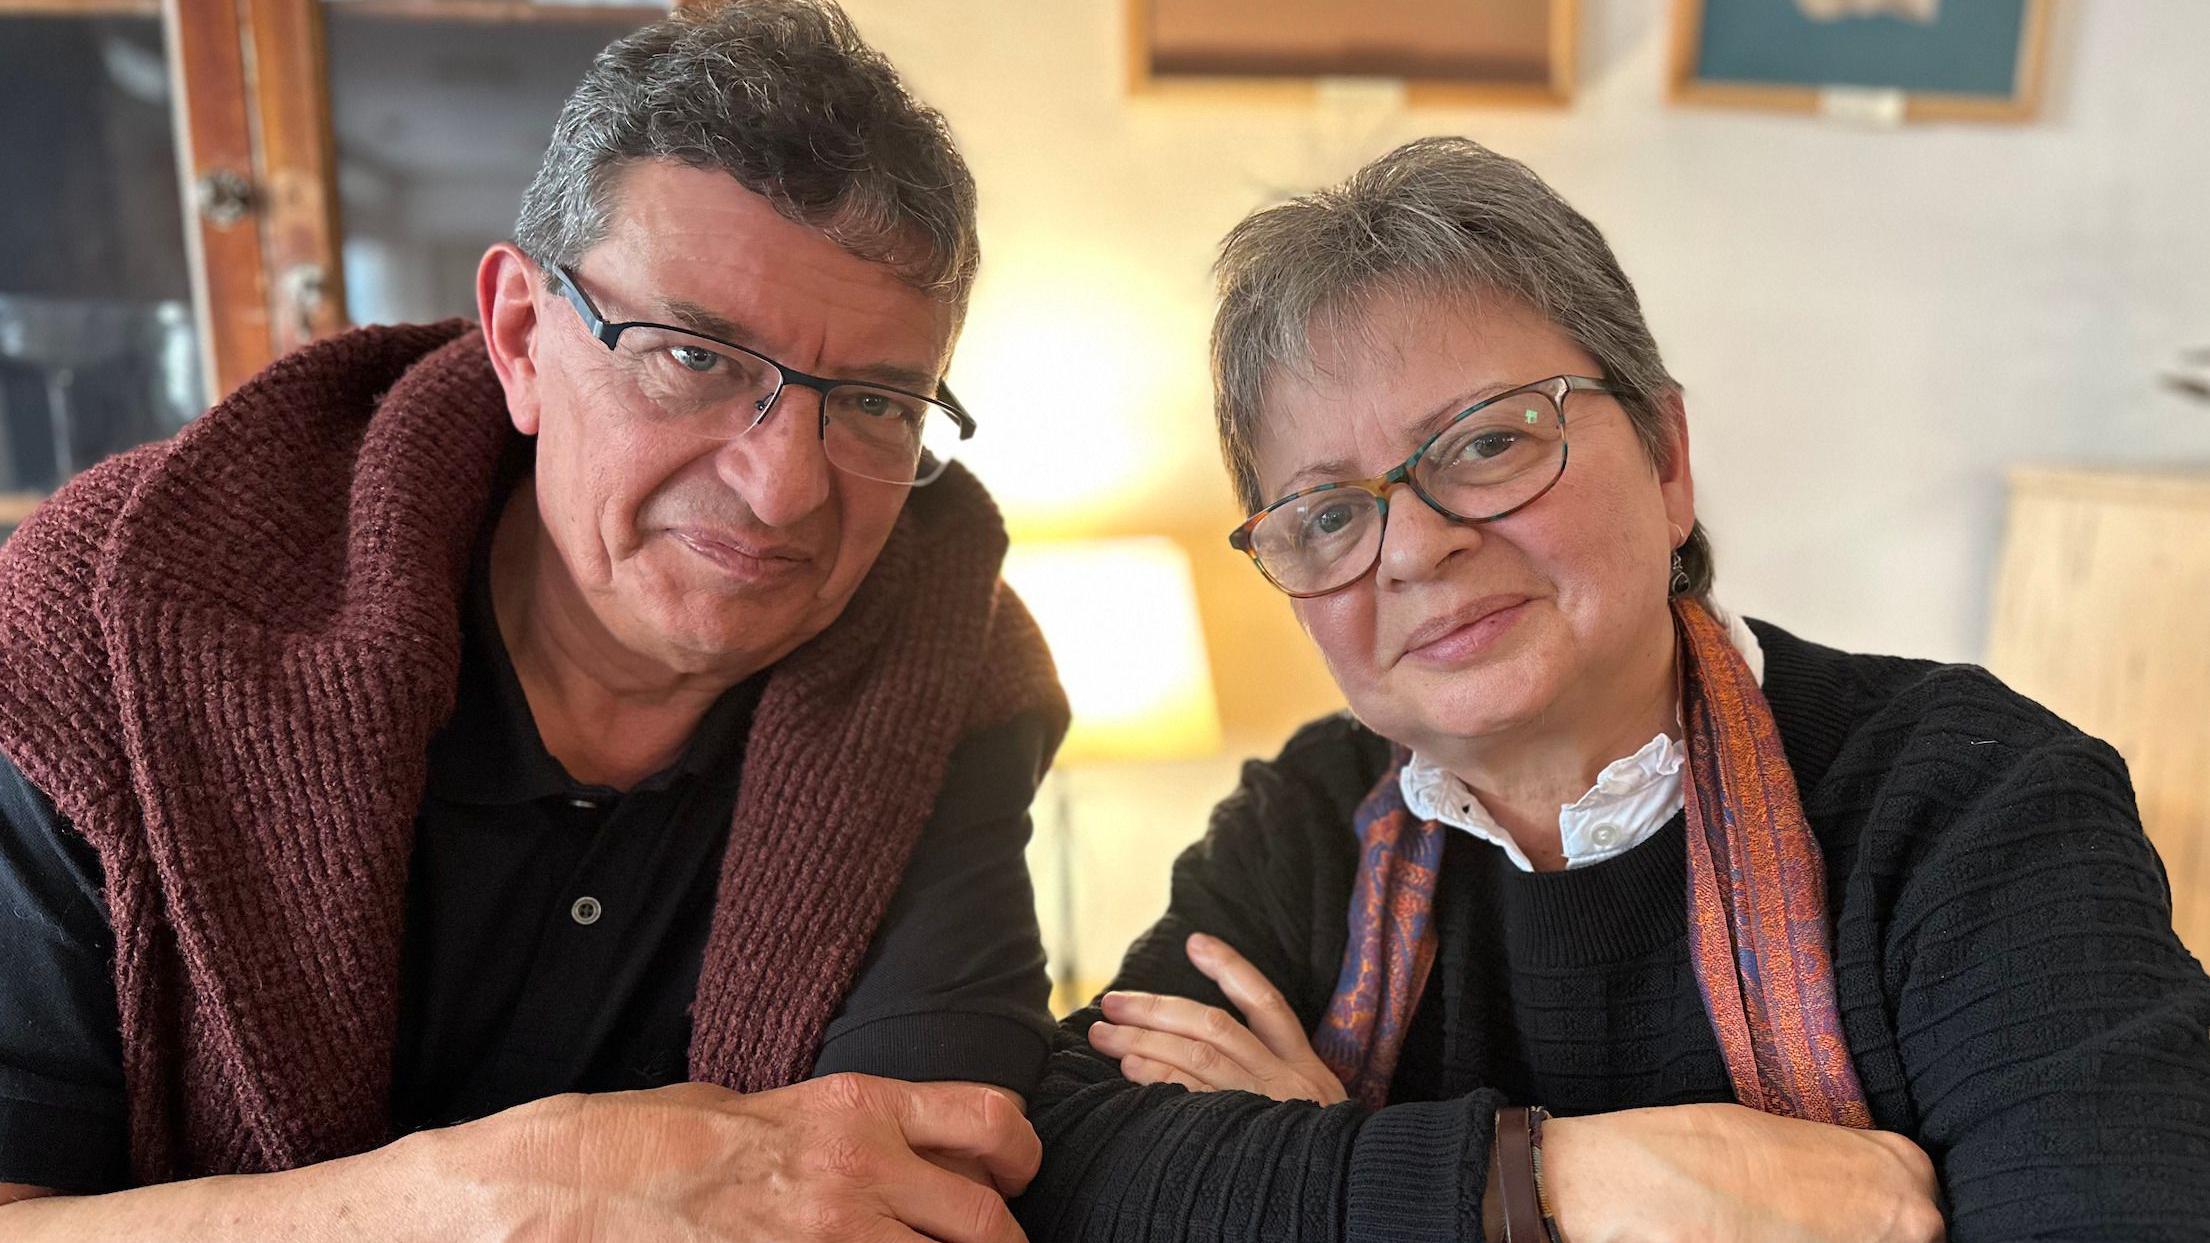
(355, 1198)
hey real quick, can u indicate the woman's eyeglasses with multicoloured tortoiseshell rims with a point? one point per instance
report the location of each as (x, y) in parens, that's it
(1491, 461)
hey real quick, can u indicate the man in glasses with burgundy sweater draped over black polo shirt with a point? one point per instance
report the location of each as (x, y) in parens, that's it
(554, 777)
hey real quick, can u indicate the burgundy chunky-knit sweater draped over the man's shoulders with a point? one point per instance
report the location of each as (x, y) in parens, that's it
(224, 658)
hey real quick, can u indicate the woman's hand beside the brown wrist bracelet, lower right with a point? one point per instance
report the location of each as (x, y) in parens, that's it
(1734, 1176)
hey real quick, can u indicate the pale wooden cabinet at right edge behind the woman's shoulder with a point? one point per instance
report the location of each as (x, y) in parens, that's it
(2103, 614)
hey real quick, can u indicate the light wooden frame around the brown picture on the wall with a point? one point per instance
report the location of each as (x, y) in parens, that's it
(1548, 85)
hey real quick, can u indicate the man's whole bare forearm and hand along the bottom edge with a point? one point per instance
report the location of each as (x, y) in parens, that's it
(841, 1158)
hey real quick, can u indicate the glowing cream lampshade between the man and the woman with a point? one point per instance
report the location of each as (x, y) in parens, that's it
(1122, 618)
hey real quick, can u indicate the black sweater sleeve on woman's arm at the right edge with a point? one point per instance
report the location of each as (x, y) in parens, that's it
(2054, 1032)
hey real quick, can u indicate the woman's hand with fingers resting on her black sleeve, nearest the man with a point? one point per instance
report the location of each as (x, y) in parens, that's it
(1206, 1049)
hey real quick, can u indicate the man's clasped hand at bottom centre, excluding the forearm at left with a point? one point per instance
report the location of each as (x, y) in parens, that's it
(841, 1158)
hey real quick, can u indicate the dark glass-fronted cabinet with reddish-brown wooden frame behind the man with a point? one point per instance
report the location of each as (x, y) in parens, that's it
(198, 187)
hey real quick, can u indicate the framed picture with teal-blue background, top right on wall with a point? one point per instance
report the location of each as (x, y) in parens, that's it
(1886, 61)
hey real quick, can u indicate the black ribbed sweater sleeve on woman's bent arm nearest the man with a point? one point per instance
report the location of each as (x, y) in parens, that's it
(1137, 1162)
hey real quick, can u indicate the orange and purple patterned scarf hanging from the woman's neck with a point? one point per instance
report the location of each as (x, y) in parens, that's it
(1758, 930)
